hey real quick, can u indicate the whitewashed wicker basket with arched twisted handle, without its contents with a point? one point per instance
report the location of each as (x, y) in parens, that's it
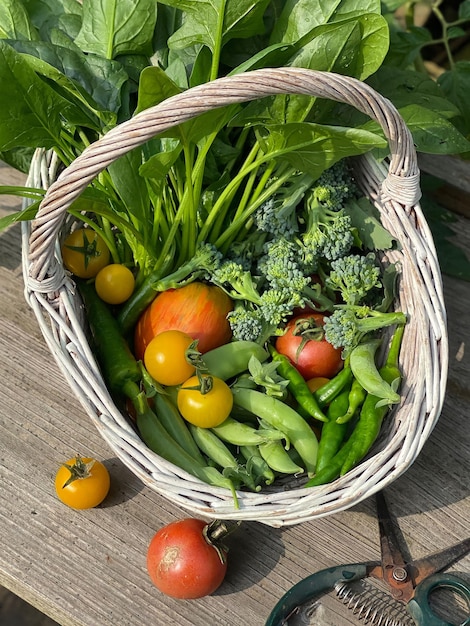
(52, 295)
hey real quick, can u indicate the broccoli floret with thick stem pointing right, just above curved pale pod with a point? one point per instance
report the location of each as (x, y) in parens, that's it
(348, 324)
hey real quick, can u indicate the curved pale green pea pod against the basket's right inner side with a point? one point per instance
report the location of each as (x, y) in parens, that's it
(364, 368)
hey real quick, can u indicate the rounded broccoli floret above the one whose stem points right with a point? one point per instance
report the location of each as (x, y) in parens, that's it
(354, 276)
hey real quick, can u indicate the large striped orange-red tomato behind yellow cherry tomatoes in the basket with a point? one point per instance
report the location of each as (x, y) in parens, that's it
(197, 309)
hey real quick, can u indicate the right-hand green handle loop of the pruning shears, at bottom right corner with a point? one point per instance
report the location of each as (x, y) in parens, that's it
(419, 606)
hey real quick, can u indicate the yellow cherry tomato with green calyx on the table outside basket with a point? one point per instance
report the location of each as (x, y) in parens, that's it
(82, 483)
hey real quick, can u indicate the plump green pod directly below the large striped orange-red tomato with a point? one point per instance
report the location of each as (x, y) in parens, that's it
(232, 358)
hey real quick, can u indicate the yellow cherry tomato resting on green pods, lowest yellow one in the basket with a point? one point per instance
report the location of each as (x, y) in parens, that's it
(205, 408)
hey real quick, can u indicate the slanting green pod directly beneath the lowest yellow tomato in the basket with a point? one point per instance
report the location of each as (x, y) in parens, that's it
(218, 452)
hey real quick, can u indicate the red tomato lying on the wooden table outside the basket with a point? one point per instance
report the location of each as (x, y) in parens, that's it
(182, 563)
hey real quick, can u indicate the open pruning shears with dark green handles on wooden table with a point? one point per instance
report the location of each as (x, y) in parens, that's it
(409, 582)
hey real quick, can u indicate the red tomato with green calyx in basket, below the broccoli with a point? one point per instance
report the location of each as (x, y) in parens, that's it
(304, 344)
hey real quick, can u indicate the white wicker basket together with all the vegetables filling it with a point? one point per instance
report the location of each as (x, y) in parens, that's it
(202, 193)
